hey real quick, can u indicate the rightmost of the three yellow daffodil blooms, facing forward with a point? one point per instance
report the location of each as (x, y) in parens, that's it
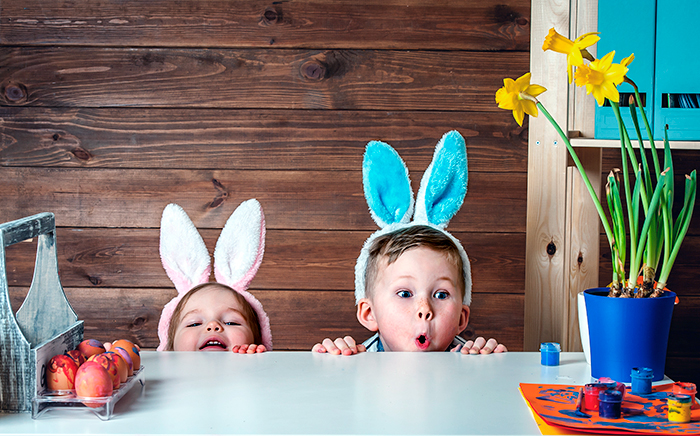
(601, 77)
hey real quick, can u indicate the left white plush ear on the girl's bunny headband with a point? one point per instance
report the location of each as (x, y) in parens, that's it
(182, 250)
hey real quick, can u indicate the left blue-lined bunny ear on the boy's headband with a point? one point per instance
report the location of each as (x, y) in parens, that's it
(386, 185)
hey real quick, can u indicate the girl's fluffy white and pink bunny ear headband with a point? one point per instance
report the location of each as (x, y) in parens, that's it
(237, 257)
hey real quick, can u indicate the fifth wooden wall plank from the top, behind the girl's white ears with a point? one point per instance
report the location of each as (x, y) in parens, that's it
(129, 258)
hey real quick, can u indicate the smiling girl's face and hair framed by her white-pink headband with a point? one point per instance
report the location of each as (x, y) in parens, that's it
(212, 320)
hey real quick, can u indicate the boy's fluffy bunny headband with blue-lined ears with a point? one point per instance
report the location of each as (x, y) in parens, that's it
(390, 198)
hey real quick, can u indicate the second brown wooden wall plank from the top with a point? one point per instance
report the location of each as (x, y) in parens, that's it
(255, 78)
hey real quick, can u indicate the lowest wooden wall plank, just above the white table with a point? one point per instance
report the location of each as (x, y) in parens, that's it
(298, 318)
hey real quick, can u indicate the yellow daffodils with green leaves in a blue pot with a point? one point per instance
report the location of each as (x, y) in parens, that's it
(629, 320)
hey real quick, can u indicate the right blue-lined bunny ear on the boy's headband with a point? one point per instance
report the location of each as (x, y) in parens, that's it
(444, 183)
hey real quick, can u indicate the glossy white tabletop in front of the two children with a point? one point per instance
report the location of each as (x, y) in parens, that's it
(308, 393)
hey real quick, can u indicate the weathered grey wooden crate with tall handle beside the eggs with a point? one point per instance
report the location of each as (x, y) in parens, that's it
(45, 324)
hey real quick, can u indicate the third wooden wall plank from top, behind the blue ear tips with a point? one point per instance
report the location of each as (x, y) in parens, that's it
(248, 139)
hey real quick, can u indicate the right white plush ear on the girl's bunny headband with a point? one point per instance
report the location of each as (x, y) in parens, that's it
(239, 250)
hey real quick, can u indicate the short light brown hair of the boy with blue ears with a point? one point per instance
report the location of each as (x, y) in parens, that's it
(392, 245)
